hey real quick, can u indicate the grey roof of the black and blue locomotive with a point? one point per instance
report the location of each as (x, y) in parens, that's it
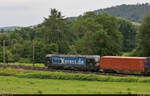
(87, 56)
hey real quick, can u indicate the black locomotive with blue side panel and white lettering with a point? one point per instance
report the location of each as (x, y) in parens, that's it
(74, 62)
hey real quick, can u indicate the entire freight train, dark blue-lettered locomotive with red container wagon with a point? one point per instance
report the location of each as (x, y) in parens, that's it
(99, 63)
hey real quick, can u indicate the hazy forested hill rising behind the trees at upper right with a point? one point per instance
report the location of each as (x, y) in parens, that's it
(134, 13)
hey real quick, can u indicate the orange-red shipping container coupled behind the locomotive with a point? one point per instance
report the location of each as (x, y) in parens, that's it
(123, 63)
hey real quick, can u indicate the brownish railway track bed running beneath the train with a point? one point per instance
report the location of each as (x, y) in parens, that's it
(71, 71)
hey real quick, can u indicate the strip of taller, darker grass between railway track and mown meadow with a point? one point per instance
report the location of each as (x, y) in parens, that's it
(20, 73)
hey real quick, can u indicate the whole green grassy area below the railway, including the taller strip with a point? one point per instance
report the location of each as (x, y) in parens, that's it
(19, 81)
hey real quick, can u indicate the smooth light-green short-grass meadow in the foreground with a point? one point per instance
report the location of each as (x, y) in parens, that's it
(14, 85)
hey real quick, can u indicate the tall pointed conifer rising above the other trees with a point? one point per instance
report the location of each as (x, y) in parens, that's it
(54, 30)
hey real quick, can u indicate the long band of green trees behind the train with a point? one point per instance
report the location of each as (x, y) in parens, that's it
(88, 34)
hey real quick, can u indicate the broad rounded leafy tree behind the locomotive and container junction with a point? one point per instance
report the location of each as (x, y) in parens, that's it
(101, 35)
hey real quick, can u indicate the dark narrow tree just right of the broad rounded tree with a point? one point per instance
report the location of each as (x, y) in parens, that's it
(129, 32)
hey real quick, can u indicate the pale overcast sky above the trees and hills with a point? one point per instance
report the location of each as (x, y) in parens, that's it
(32, 12)
